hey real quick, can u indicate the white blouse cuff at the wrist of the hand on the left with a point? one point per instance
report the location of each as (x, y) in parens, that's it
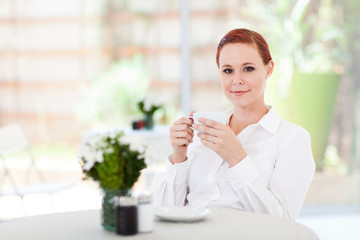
(176, 173)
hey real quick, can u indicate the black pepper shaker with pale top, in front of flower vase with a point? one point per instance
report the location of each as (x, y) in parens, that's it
(126, 215)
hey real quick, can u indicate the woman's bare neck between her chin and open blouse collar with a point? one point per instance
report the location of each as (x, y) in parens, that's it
(243, 117)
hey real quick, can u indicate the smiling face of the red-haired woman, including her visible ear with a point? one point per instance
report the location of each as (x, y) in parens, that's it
(243, 74)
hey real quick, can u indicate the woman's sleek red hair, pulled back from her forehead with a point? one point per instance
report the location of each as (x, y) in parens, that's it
(242, 35)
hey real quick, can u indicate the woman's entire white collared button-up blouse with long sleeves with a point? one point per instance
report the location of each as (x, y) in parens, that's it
(274, 177)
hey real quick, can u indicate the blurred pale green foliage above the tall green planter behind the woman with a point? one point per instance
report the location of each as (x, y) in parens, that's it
(303, 35)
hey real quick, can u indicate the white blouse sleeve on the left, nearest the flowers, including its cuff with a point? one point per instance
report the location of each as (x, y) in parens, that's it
(170, 188)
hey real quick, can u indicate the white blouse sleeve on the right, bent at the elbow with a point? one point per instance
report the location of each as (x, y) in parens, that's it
(285, 193)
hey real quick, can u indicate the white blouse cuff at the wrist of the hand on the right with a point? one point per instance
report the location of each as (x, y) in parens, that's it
(243, 173)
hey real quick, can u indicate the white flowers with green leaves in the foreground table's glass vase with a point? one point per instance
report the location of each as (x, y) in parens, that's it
(113, 160)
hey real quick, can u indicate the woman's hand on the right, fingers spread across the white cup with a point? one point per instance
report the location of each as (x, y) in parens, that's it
(221, 139)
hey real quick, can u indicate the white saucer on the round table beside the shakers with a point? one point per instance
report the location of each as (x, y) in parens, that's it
(181, 214)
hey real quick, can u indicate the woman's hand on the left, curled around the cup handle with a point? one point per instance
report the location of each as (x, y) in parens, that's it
(181, 135)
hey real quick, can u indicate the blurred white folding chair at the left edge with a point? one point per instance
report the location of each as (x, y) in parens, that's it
(13, 139)
